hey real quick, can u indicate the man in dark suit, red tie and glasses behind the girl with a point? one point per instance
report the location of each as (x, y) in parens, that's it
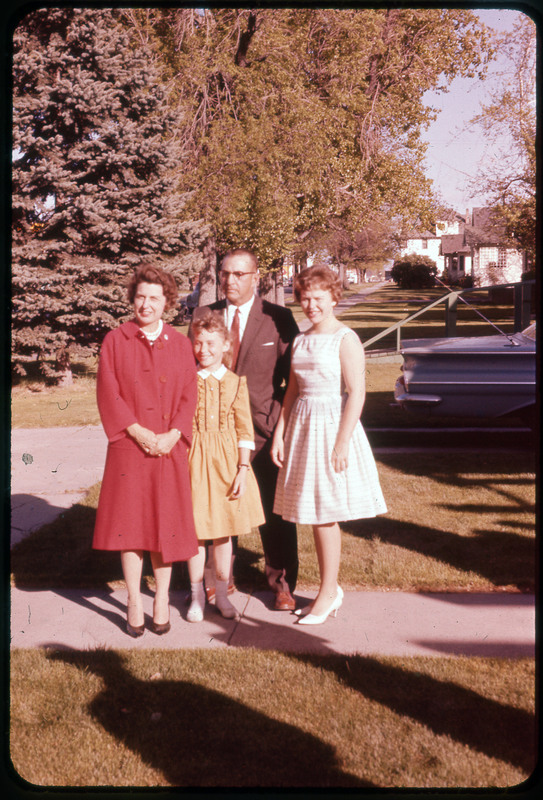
(266, 331)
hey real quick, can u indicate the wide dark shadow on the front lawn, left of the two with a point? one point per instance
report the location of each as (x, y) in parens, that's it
(196, 736)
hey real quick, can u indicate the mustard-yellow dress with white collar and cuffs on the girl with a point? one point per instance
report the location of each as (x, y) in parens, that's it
(222, 422)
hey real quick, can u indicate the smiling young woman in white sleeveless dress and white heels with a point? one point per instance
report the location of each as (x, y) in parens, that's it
(327, 470)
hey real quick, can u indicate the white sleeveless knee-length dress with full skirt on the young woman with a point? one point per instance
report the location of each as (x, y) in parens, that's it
(309, 491)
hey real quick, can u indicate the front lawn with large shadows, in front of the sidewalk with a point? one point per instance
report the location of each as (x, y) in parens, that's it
(170, 718)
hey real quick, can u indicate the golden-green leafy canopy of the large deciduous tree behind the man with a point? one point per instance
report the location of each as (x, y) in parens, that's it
(293, 117)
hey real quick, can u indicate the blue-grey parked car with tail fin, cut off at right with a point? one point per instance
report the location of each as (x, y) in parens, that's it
(470, 376)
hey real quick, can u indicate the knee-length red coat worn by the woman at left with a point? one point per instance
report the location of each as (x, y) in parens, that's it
(145, 501)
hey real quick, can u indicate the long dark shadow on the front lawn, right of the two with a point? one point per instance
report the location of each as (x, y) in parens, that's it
(480, 723)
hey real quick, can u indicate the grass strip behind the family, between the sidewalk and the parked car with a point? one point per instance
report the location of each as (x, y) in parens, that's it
(452, 524)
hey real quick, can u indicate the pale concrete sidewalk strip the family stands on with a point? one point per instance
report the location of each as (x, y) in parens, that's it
(386, 623)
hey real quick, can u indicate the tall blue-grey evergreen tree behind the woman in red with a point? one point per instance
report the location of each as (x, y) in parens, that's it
(94, 165)
